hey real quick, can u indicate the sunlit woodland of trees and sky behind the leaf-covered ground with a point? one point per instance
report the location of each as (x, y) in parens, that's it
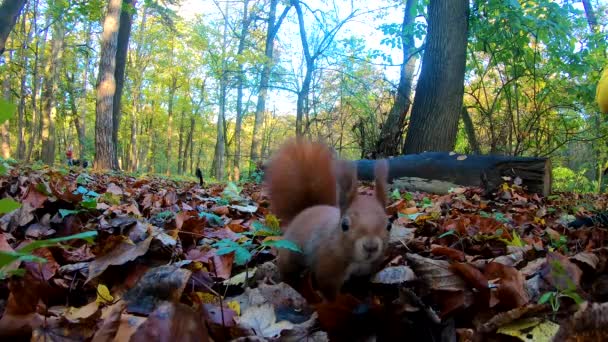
(194, 91)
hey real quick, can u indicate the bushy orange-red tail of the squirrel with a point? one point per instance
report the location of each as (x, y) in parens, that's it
(300, 175)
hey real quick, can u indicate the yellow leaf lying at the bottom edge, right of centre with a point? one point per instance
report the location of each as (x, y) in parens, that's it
(531, 329)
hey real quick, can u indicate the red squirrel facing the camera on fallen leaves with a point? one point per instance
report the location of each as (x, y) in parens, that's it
(341, 233)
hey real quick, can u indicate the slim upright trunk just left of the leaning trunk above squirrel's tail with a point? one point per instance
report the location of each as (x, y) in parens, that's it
(239, 97)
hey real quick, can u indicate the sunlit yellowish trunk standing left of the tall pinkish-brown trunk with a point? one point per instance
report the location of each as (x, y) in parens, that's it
(51, 87)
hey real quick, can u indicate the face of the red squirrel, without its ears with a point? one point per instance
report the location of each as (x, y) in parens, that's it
(365, 227)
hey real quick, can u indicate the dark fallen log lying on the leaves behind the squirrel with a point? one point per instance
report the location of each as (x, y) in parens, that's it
(437, 172)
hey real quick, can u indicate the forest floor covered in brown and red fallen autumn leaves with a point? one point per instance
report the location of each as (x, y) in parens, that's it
(110, 257)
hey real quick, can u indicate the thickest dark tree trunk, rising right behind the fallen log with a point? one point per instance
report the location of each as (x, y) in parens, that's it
(440, 89)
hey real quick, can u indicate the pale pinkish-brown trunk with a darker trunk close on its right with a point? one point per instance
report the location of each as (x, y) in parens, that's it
(104, 122)
